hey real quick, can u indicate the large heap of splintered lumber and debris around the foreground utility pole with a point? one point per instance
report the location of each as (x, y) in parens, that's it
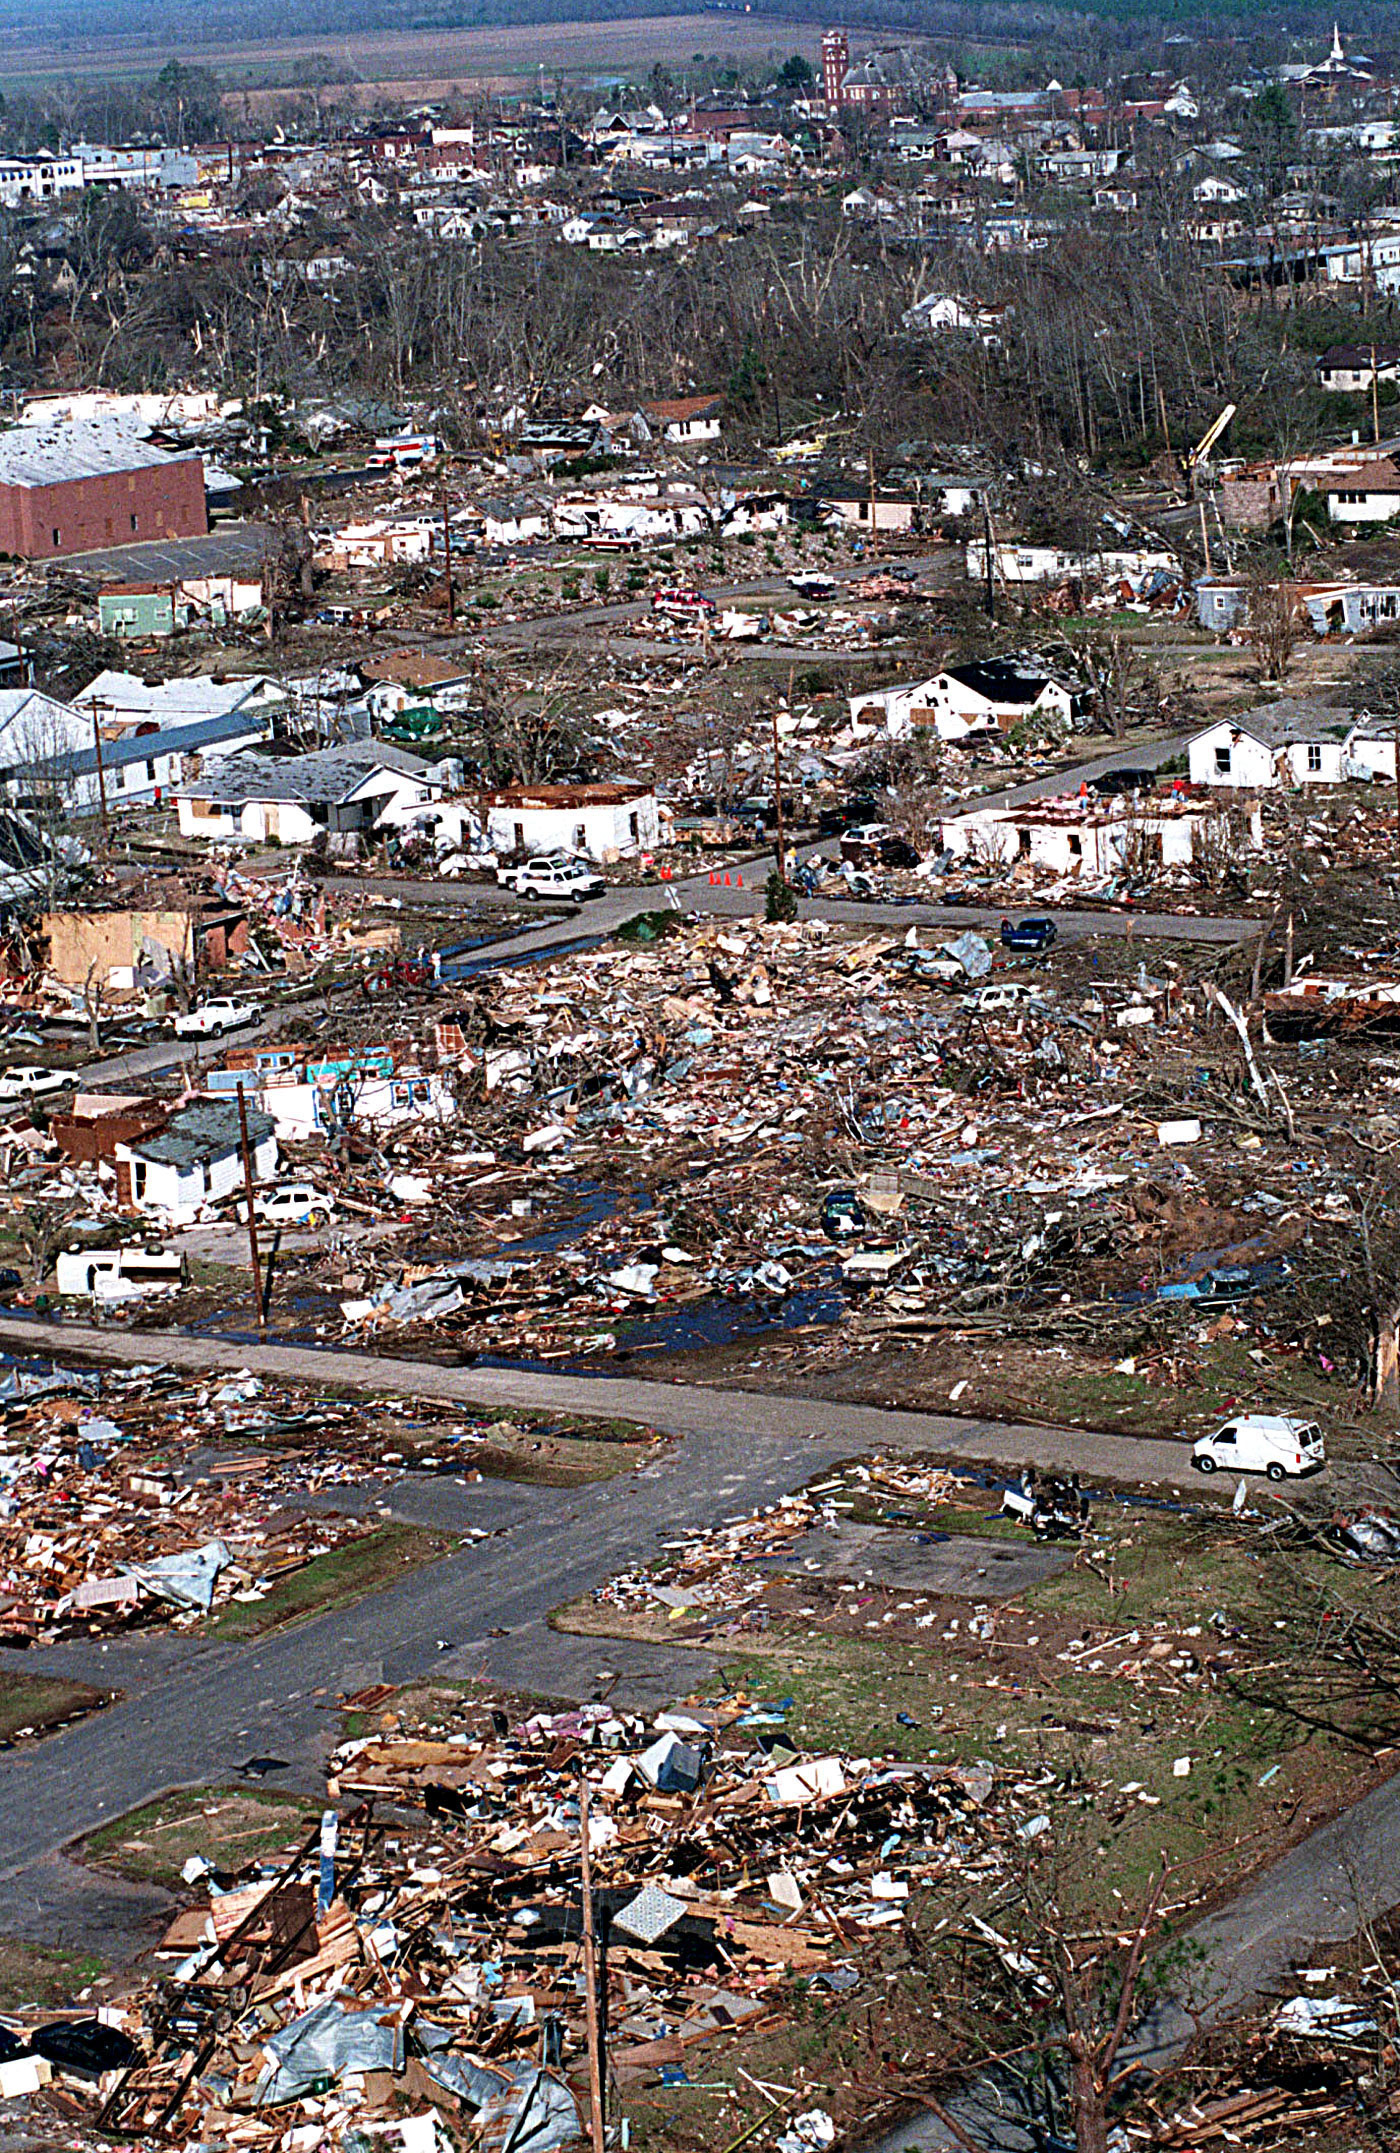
(423, 1975)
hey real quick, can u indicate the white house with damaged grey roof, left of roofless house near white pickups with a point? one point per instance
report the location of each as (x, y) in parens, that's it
(352, 789)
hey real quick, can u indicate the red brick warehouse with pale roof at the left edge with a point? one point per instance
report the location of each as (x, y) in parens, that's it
(76, 490)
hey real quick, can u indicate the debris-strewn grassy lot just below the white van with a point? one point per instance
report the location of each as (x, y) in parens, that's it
(1121, 1676)
